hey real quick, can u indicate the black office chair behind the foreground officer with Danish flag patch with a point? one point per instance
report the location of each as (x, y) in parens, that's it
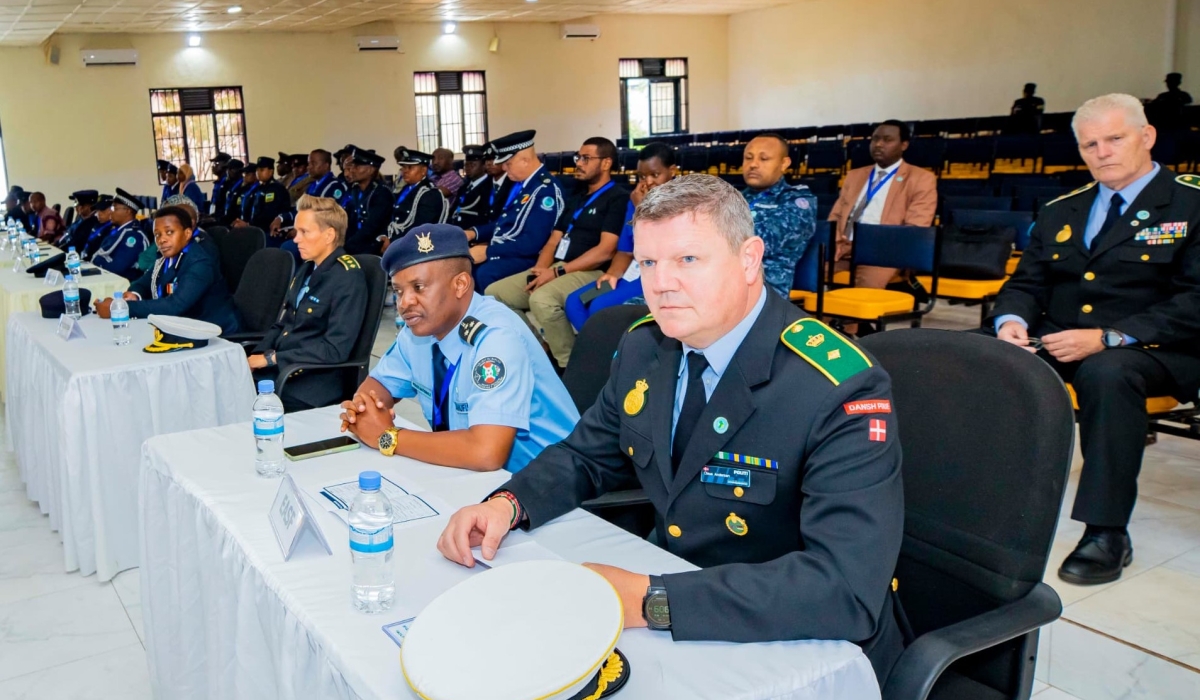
(988, 433)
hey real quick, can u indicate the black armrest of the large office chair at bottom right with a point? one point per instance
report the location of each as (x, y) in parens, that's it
(919, 668)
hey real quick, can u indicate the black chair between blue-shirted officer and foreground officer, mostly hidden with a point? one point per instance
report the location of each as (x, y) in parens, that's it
(586, 375)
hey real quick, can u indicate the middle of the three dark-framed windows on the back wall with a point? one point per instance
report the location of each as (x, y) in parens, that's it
(452, 110)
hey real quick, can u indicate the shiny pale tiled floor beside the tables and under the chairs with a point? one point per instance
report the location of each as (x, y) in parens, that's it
(67, 637)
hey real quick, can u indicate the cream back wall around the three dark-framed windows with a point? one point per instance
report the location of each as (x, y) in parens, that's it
(69, 128)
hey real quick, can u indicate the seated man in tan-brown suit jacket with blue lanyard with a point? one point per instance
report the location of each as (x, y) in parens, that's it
(891, 193)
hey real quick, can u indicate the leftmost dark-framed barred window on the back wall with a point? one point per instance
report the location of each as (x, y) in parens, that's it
(193, 124)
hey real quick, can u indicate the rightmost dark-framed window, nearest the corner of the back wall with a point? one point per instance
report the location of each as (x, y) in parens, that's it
(653, 98)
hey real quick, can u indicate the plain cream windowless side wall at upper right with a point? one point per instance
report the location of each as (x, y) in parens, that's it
(841, 62)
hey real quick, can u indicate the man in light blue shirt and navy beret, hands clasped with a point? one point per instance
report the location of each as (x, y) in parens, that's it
(482, 378)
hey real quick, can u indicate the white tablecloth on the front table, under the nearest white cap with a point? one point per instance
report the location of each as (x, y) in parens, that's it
(227, 618)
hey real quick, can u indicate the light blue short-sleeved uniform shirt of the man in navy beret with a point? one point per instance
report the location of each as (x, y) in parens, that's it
(505, 379)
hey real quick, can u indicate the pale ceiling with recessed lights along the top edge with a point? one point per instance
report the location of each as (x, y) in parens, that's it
(34, 21)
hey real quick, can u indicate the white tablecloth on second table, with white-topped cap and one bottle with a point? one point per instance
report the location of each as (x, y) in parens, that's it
(79, 412)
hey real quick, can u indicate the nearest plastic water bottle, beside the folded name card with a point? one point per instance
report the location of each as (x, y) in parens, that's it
(374, 578)
